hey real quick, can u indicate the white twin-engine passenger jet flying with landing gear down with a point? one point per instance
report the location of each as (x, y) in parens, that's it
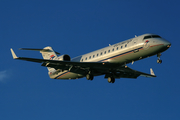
(110, 61)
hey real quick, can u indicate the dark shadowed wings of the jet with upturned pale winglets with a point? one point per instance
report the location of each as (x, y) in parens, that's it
(98, 68)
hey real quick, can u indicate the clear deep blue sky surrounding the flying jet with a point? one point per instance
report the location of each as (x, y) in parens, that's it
(76, 27)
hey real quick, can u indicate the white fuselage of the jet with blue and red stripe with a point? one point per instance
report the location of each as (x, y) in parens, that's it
(123, 53)
